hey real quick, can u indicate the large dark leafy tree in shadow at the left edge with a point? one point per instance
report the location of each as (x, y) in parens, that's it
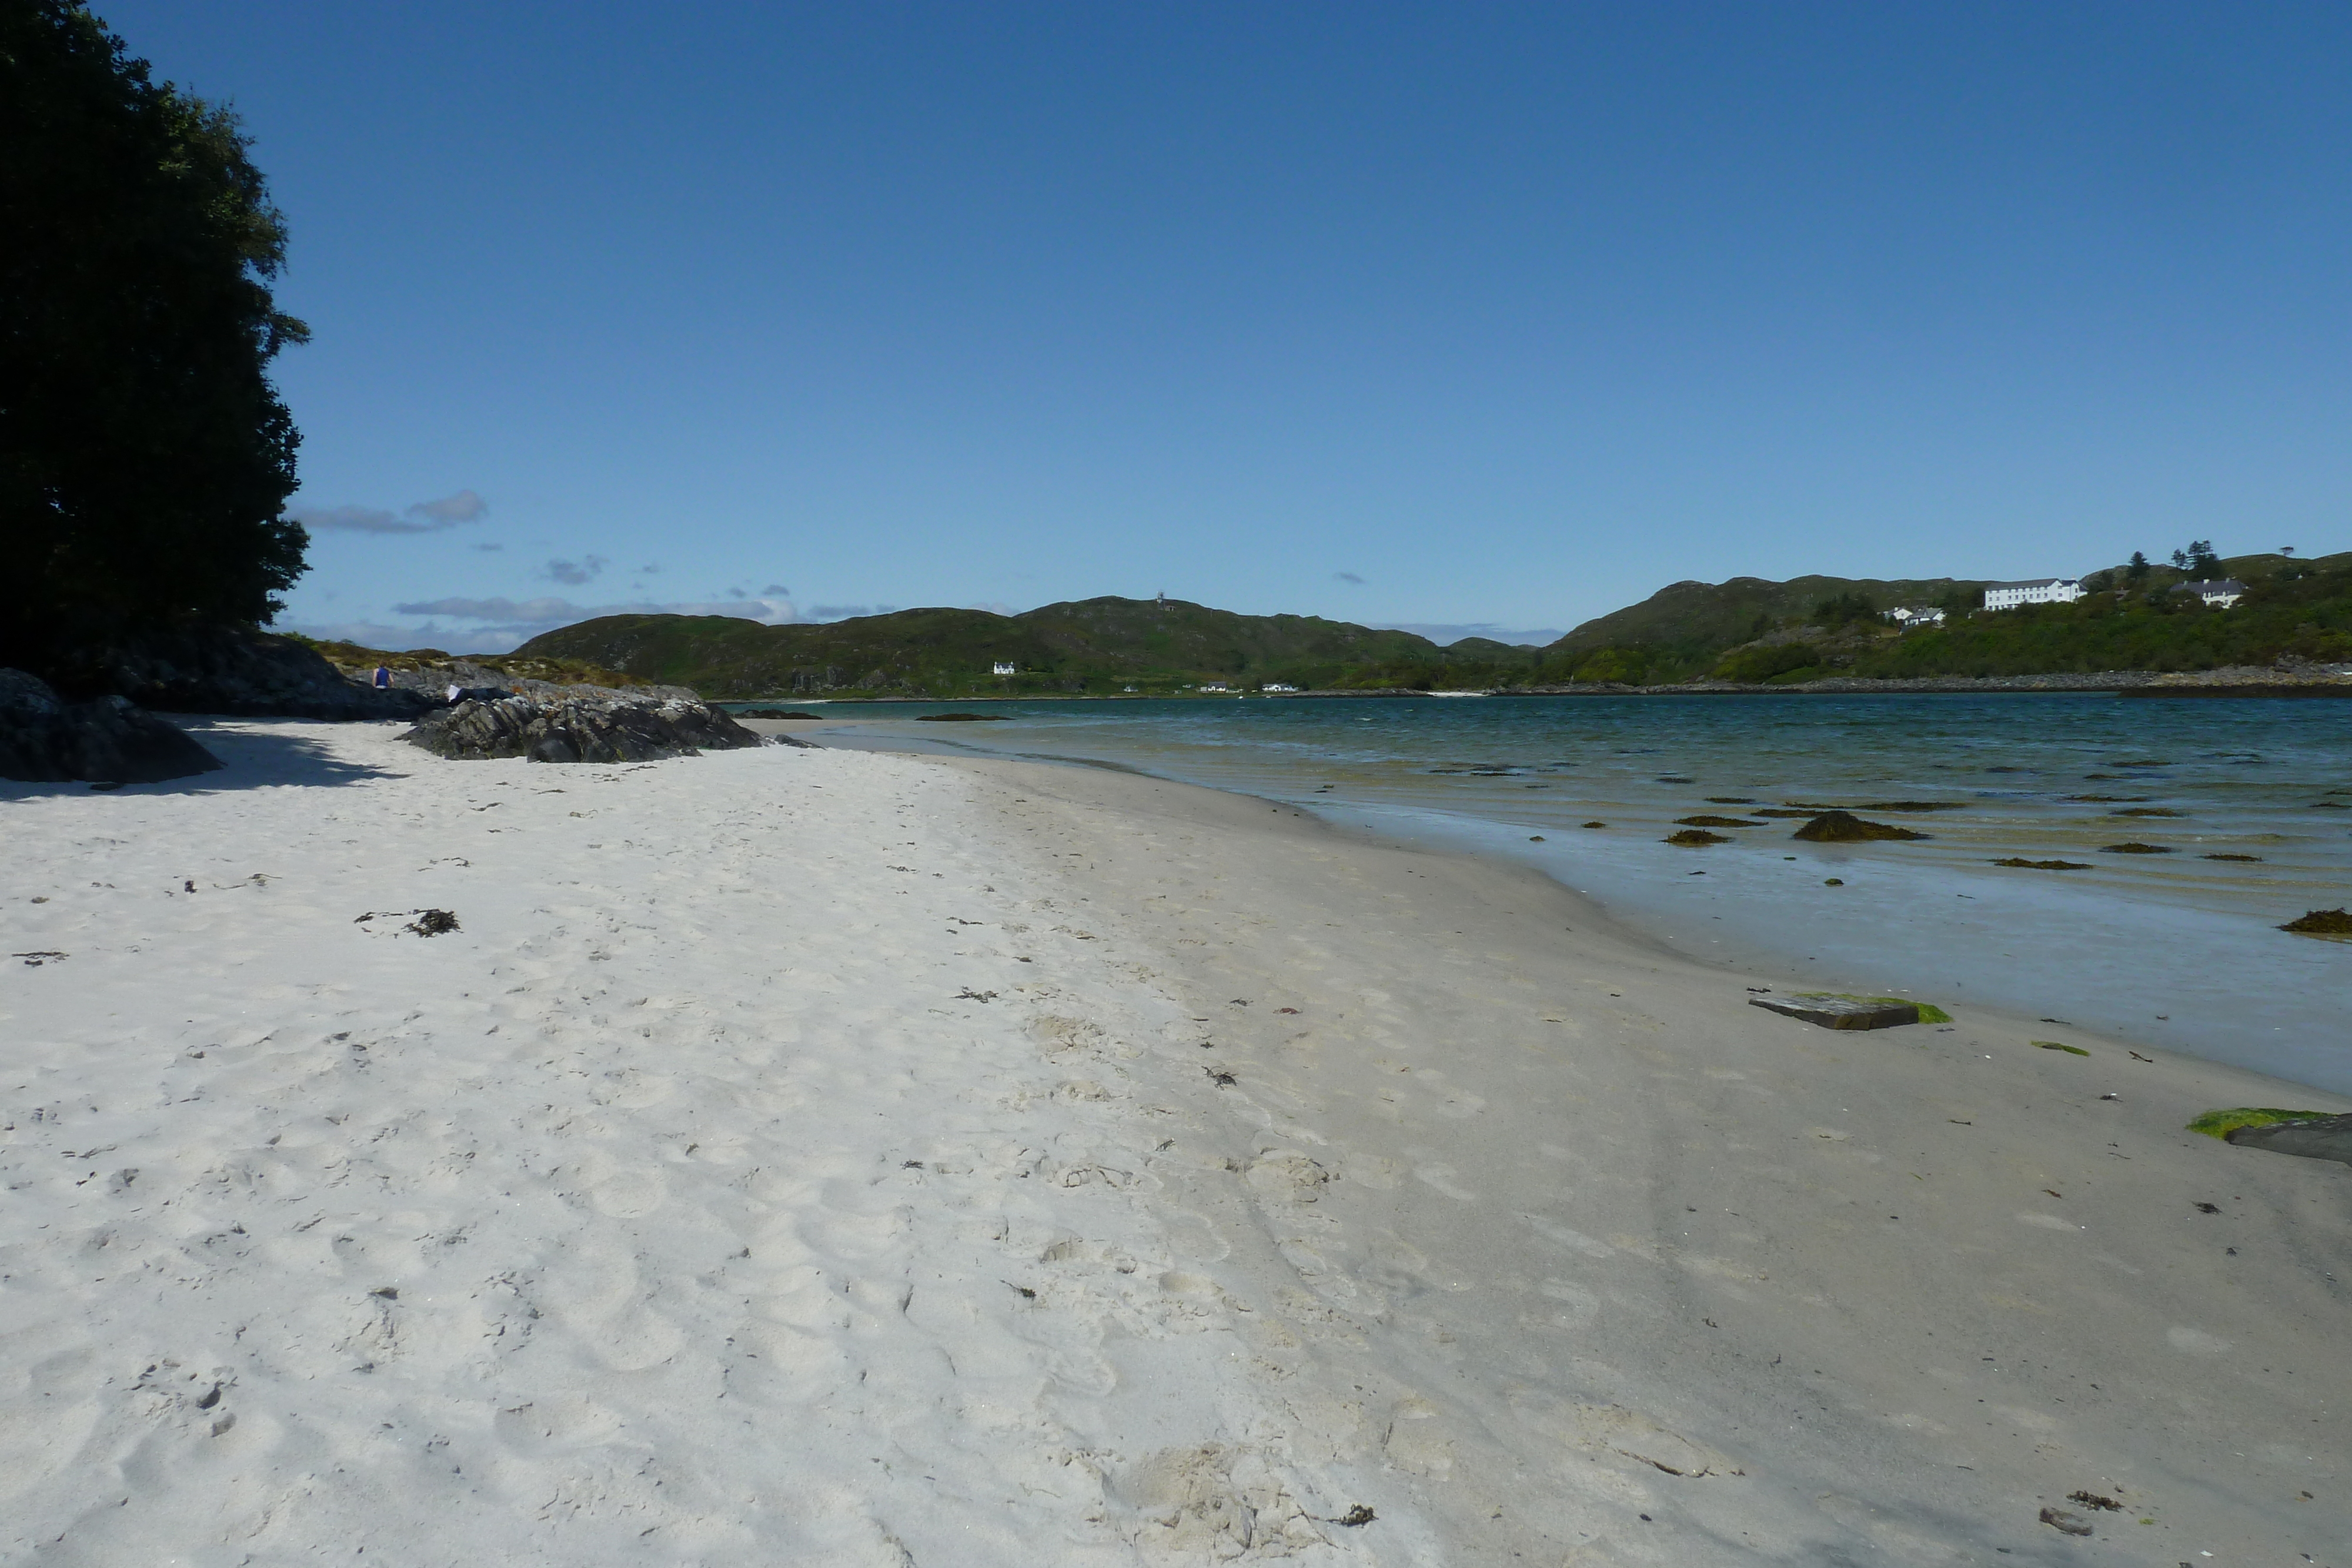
(145, 455)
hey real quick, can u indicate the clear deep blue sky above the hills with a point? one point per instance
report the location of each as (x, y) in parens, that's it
(1455, 316)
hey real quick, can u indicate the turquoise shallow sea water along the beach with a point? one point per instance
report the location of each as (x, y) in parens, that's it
(2172, 946)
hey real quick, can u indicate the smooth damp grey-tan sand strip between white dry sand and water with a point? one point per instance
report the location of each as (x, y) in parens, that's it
(1596, 1264)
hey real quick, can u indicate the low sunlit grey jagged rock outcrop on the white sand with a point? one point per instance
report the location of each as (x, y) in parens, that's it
(608, 728)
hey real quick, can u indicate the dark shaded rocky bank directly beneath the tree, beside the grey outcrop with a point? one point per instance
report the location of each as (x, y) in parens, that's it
(236, 671)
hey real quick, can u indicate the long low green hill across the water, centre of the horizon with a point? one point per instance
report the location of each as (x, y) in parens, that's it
(1088, 645)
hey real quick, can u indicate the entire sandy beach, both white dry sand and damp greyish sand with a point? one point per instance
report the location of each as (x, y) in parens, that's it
(829, 1158)
